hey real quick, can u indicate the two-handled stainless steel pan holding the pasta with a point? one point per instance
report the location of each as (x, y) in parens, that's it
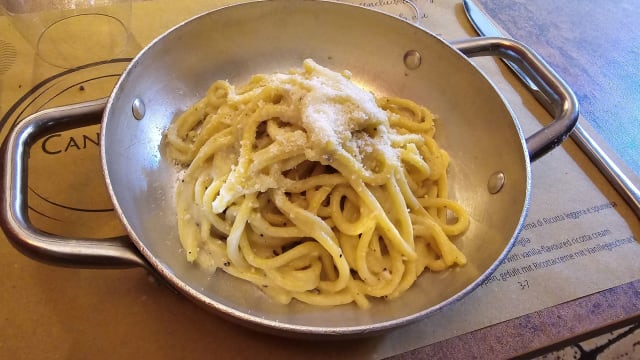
(489, 175)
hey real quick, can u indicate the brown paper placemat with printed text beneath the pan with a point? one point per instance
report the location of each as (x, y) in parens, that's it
(580, 237)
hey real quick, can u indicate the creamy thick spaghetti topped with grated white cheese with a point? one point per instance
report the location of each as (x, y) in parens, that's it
(313, 189)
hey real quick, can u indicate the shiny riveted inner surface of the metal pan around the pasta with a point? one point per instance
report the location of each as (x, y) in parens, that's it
(474, 126)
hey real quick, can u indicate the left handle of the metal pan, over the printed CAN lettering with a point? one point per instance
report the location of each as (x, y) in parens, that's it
(116, 252)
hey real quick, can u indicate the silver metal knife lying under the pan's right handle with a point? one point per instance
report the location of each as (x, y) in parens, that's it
(623, 185)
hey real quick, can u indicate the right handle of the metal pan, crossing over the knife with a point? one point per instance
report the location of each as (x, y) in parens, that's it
(550, 90)
